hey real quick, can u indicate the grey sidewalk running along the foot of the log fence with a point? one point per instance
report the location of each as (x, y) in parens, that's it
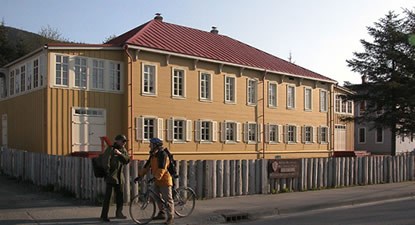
(26, 204)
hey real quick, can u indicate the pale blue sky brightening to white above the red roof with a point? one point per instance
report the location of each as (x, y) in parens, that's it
(319, 35)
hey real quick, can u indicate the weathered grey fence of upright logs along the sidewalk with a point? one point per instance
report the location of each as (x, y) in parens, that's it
(210, 178)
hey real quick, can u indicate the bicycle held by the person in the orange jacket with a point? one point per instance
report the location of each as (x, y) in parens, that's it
(143, 205)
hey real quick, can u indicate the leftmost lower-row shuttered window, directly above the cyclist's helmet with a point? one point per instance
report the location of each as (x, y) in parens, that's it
(149, 127)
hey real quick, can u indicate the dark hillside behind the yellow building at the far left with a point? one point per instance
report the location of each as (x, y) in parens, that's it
(18, 43)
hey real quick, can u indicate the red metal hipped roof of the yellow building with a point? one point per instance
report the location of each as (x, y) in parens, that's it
(160, 35)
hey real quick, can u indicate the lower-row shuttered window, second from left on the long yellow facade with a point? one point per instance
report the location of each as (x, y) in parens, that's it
(179, 130)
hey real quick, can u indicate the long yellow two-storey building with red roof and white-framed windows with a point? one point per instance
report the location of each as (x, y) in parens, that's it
(206, 95)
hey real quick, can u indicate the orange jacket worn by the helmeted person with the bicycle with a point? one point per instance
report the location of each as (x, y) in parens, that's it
(158, 163)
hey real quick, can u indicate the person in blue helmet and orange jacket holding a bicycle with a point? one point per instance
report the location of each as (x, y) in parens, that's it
(158, 162)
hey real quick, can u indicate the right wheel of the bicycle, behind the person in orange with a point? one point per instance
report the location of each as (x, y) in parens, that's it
(184, 201)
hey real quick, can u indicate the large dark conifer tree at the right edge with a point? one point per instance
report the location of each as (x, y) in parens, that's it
(387, 66)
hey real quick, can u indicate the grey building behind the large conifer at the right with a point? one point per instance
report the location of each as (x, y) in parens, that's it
(379, 141)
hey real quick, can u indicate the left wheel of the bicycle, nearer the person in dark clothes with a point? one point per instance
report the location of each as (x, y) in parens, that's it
(142, 208)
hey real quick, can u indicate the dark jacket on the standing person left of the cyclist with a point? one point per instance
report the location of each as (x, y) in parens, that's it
(113, 165)
